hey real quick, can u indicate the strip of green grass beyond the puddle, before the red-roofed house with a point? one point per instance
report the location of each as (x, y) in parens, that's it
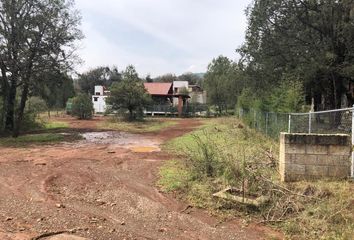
(148, 125)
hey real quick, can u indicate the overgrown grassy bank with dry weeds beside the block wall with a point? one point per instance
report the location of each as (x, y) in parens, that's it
(226, 153)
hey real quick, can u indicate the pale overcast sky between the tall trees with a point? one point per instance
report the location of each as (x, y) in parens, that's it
(160, 36)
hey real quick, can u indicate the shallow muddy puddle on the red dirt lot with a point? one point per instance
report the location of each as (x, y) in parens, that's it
(135, 142)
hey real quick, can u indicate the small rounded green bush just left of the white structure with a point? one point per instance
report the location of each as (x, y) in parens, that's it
(82, 107)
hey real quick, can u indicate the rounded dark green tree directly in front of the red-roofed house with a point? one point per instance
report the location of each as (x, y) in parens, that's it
(129, 95)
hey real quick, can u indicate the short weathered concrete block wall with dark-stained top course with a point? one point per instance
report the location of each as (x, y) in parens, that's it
(314, 156)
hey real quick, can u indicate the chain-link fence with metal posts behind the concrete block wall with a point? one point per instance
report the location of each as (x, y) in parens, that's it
(324, 122)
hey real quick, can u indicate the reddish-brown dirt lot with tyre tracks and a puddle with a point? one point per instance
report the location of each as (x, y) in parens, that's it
(103, 187)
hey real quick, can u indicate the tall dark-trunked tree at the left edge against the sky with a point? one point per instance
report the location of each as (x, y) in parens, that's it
(35, 36)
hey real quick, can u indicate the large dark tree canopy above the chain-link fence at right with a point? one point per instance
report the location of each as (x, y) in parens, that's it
(310, 41)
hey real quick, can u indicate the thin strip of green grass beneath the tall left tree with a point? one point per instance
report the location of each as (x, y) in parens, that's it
(44, 138)
